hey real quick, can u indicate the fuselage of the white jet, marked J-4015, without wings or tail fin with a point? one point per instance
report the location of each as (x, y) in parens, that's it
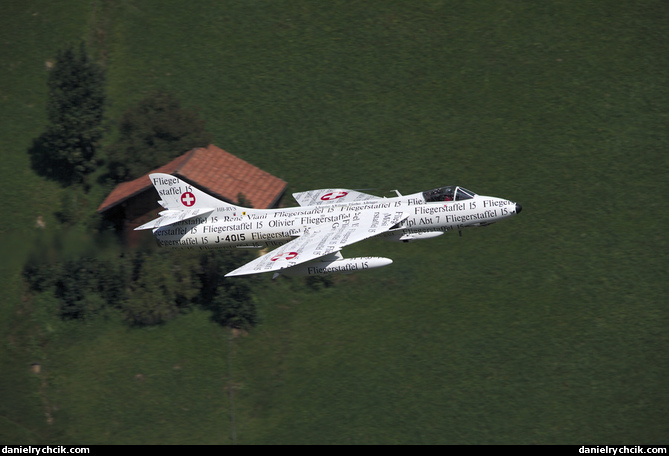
(227, 228)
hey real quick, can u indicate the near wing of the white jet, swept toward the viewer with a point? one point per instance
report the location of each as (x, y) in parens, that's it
(324, 239)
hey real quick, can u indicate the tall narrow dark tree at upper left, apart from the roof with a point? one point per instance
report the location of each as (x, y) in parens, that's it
(75, 109)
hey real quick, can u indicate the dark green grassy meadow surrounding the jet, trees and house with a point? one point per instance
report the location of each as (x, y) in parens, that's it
(549, 328)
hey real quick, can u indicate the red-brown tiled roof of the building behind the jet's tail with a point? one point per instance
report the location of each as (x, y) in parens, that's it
(213, 170)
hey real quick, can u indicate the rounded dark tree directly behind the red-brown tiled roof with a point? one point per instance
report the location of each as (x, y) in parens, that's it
(153, 133)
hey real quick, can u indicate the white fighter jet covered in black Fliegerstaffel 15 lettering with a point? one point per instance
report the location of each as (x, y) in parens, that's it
(308, 240)
